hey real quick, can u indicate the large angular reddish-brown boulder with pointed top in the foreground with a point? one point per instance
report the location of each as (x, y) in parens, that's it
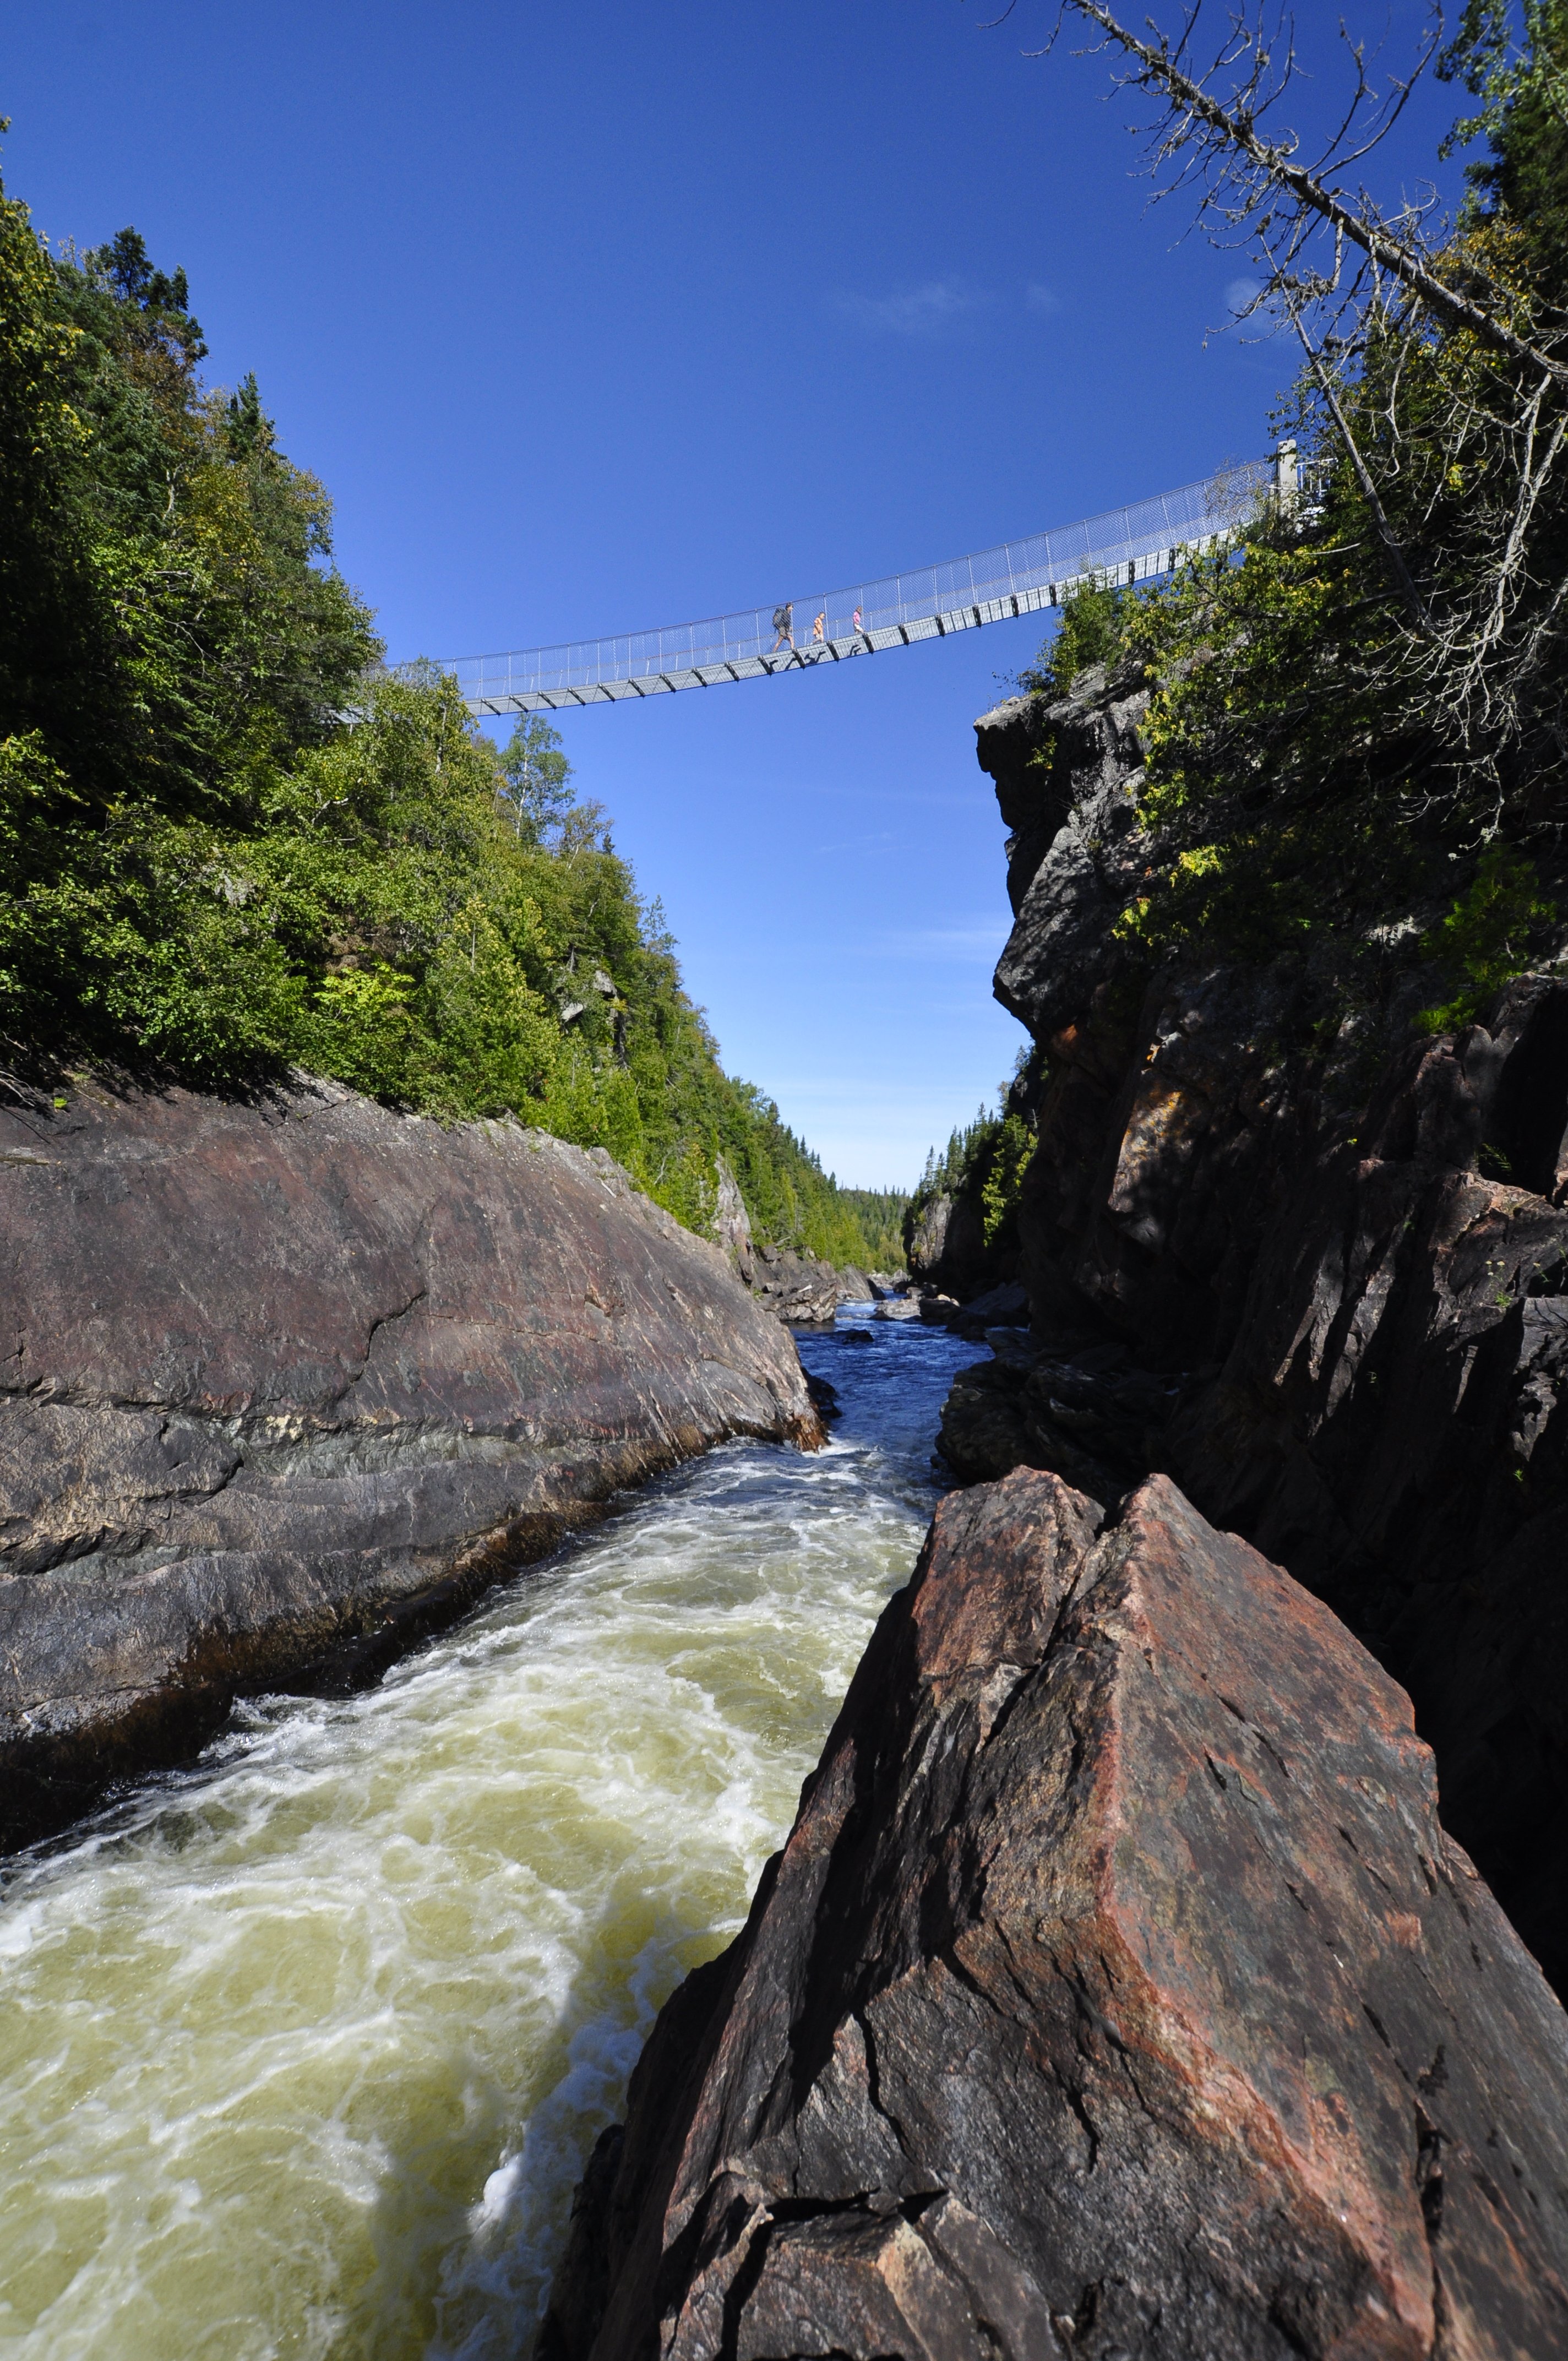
(1118, 1996)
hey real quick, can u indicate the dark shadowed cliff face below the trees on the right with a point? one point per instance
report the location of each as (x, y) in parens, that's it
(1309, 1250)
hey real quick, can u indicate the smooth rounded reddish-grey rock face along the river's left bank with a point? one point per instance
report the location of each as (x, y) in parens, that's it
(287, 1378)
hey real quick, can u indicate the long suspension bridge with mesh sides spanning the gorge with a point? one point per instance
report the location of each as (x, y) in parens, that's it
(835, 627)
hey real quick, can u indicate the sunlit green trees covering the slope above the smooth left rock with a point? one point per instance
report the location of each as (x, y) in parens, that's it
(230, 844)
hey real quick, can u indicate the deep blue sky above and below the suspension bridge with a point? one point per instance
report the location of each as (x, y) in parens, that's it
(599, 318)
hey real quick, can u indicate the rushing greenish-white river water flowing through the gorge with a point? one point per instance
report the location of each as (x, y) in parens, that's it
(301, 2051)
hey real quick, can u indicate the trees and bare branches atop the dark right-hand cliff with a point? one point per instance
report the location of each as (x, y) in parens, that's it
(1357, 735)
